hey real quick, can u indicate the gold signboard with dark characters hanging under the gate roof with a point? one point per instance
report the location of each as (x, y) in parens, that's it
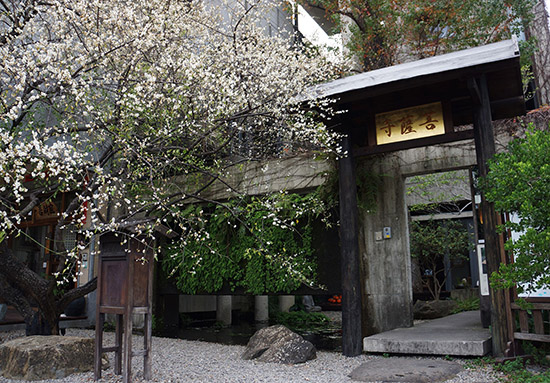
(410, 123)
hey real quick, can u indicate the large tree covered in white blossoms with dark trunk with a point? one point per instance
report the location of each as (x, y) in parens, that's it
(115, 103)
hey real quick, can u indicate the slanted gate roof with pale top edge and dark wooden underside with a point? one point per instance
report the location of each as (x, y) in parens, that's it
(446, 78)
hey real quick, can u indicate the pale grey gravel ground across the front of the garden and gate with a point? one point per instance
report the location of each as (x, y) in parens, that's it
(176, 360)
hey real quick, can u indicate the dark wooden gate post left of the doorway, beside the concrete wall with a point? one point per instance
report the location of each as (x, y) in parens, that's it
(349, 249)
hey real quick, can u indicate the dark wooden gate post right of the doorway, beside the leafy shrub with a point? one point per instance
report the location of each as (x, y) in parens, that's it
(485, 149)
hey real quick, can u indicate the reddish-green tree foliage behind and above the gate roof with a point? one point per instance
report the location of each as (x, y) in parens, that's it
(387, 32)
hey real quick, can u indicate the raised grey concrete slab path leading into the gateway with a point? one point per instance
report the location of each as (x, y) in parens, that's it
(459, 334)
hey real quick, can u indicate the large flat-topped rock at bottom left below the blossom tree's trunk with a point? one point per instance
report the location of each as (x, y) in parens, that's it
(46, 357)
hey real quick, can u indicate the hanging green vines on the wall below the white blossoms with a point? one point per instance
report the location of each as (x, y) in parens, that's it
(262, 244)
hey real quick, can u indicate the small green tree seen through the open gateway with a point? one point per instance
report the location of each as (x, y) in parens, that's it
(430, 242)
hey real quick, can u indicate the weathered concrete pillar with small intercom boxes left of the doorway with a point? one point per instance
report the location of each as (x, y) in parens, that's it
(387, 283)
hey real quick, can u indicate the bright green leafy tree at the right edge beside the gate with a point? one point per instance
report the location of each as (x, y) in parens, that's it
(517, 182)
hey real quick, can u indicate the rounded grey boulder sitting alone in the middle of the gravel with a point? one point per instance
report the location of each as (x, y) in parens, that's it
(277, 344)
